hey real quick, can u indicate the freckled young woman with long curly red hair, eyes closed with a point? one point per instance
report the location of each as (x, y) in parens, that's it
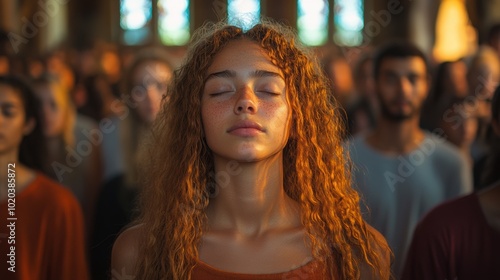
(246, 176)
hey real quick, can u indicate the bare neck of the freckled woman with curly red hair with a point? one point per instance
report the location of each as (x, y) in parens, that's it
(250, 197)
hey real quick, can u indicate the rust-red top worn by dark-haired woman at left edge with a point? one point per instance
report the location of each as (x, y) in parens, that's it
(49, 234)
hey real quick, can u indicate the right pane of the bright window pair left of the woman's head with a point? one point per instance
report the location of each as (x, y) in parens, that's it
(173, 22)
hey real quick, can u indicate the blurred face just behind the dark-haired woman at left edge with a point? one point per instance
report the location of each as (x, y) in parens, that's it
(54, 109)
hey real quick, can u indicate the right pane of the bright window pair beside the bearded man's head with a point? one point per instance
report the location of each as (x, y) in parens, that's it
(349, 22)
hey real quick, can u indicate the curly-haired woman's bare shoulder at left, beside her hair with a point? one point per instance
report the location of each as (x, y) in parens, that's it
(126, 252)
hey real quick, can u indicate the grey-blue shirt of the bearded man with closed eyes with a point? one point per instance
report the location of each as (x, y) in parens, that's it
(396, 191)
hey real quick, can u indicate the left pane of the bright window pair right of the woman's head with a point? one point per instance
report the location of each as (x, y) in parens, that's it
(312, 21)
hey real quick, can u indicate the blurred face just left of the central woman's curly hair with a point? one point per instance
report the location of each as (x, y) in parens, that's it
(150, 81)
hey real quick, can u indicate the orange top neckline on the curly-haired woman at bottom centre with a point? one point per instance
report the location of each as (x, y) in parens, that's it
(312, 271)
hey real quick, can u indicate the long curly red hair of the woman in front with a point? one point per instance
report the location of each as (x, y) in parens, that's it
(316, 167)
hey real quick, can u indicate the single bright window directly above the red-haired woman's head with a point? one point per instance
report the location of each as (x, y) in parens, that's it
(243, 13)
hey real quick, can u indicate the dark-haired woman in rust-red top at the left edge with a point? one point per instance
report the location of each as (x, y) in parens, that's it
(41, 232)
